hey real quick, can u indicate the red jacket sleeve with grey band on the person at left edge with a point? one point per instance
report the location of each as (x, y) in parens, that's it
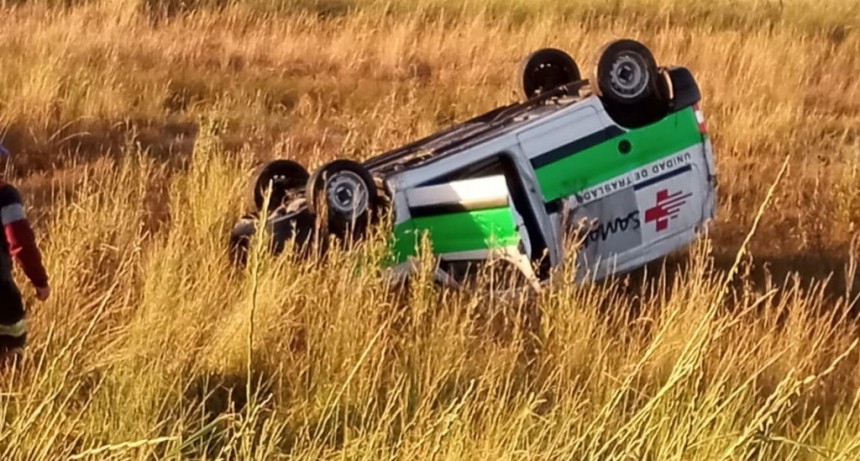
(20, 237)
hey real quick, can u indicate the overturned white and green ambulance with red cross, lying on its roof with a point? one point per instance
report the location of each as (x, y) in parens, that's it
(626, 152)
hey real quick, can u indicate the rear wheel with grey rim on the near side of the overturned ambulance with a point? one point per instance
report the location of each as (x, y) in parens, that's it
(627, 74)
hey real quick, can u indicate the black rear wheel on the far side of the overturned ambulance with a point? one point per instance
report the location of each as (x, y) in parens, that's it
(545, 70)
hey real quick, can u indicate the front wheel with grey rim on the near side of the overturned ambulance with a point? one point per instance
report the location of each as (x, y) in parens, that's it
(344, 194)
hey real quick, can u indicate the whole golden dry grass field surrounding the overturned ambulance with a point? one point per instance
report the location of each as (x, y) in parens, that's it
(133, 133)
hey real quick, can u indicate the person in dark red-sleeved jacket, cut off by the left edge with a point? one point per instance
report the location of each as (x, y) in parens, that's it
(18, 244)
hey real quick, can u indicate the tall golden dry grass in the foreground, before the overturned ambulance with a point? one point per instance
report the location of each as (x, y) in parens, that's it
(155, 348)
